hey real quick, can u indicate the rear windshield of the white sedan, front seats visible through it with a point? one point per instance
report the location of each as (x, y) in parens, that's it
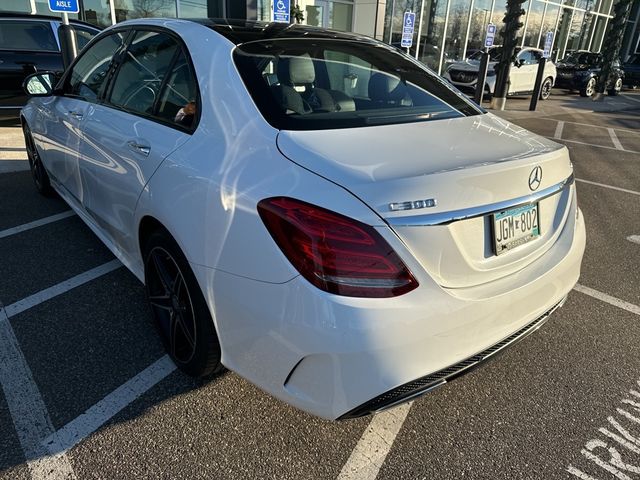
(321, 84)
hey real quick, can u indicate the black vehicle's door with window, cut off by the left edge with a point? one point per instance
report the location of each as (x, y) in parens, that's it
(26, 46)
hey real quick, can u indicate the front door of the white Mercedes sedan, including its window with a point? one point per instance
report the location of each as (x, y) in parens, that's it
(82, 86)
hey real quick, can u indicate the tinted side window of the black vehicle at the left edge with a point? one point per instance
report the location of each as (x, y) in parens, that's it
(27, 35)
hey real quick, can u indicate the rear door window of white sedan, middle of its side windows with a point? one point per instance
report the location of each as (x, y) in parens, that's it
(138, 81)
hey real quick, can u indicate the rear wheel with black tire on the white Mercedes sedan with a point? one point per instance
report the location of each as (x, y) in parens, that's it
(179, 309)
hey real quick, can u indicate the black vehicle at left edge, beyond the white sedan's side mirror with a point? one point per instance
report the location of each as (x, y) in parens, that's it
(30, 43)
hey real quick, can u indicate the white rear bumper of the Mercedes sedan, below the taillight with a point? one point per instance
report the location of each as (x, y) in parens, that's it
(340, 357)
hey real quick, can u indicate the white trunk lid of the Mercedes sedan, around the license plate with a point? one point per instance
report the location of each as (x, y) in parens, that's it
(453, 167)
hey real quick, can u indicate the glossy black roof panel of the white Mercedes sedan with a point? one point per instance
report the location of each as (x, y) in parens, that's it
(243, 31)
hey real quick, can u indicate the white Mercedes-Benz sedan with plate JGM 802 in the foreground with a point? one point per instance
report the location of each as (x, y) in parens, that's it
(309, 208)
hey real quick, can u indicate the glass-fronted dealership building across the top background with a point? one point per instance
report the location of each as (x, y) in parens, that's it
(445, 30)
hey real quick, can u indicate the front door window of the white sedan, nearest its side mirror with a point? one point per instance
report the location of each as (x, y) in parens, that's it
(88, 74)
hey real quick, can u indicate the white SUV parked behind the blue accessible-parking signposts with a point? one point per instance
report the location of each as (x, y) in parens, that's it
(522, 77)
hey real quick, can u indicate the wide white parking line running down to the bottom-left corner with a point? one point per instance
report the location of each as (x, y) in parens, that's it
(28, 410)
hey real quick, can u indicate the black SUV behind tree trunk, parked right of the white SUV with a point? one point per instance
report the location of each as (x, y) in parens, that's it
(579, 71)
